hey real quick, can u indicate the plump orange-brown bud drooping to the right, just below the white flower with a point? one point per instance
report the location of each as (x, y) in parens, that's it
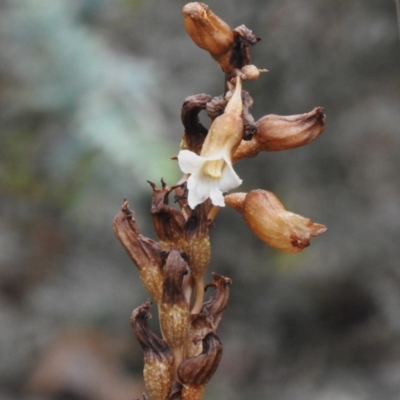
(267, 218)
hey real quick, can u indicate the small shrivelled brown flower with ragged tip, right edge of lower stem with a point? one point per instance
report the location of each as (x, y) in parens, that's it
(219, 300)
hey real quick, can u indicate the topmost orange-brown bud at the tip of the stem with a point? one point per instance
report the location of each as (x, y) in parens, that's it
(207, 30)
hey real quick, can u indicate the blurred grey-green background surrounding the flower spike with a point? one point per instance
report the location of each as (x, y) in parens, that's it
(90, 98)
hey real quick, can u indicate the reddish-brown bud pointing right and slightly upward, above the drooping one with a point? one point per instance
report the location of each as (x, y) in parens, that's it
(275, 132)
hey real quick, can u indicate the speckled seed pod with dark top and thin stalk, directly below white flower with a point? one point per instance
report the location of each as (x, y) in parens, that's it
(198, 249)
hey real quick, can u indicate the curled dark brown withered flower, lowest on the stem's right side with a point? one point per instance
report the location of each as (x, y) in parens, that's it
(200, 369)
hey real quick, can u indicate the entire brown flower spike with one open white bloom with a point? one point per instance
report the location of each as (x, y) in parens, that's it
(178, 365)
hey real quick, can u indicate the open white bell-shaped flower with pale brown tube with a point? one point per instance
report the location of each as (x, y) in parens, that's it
(212, 173)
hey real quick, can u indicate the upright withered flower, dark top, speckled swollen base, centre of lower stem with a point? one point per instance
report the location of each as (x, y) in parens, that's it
(174, 309)
